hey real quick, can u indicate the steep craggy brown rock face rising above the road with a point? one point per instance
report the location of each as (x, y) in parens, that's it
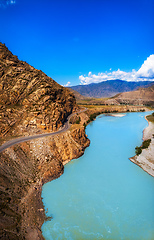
(29, 99)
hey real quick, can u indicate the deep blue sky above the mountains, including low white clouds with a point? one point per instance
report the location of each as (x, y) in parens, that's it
(77, 41)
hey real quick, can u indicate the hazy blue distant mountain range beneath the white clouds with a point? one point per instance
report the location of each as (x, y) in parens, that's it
(109, 88)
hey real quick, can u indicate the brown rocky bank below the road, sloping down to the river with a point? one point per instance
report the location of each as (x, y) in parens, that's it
(26, 167)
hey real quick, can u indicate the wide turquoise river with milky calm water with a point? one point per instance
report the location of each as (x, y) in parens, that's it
(103, 195)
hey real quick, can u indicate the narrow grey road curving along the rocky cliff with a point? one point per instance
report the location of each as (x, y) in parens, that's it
(24, 139)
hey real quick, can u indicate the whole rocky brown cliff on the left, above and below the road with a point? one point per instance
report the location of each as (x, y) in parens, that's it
(31, 102)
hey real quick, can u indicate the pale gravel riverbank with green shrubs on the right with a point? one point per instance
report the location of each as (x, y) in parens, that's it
(146, 159)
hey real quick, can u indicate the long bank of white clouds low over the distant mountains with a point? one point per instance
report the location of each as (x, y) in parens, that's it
(146, 72)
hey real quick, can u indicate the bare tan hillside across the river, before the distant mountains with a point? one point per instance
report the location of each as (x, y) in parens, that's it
(142, 96)
